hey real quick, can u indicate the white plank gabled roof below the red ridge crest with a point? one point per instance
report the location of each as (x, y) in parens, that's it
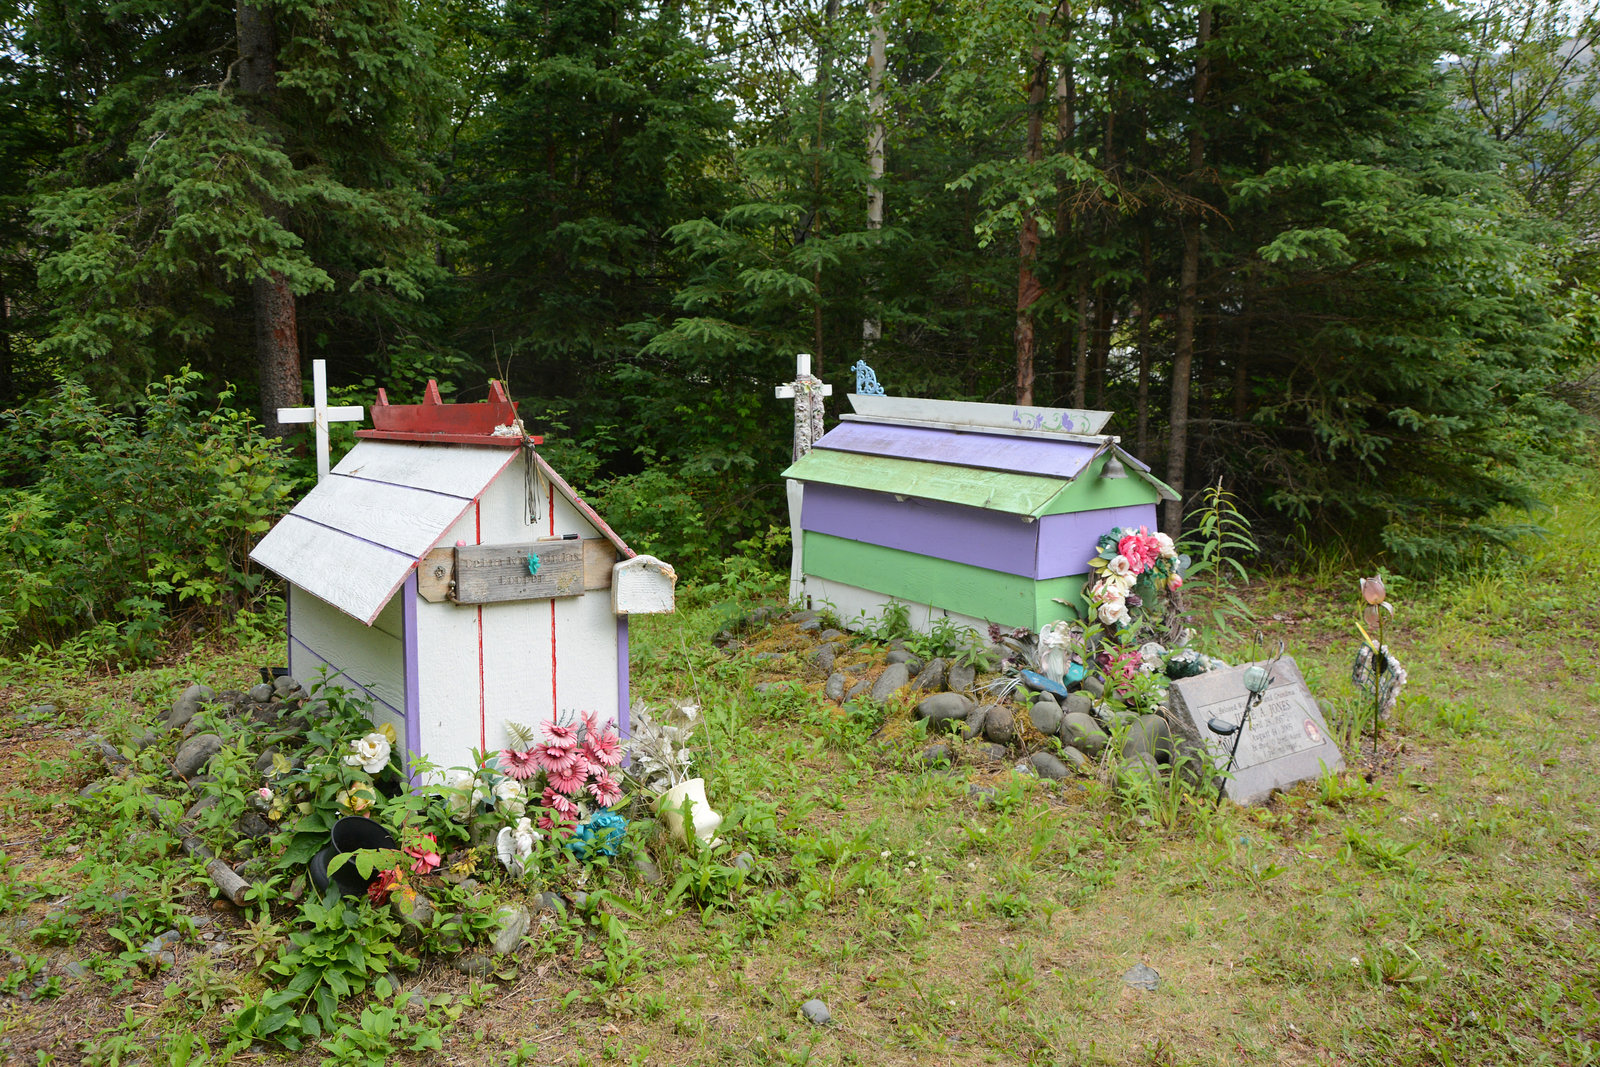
(356, 537)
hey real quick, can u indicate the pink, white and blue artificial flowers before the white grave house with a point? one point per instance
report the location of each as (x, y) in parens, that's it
(569, 773)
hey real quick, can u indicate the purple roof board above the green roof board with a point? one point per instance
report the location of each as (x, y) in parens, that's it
(988, 452)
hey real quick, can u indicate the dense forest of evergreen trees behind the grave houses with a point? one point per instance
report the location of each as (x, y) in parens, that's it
(1337, 255)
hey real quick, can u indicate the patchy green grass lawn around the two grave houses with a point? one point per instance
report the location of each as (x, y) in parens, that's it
(1434, 905)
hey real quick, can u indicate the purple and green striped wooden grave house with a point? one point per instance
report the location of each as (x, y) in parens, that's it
(974, 511)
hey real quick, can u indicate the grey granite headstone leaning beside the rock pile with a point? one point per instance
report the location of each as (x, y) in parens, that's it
(1287, 740)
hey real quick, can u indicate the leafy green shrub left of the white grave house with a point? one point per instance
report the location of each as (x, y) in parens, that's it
(124, 521)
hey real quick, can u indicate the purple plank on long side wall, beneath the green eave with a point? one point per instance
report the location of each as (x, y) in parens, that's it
(945, 532)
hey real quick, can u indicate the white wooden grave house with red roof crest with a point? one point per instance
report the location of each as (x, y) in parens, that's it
(450, 577)
